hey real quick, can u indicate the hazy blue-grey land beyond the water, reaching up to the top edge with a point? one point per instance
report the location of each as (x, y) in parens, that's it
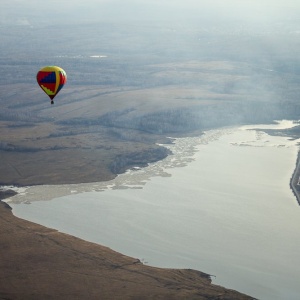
(138, 73)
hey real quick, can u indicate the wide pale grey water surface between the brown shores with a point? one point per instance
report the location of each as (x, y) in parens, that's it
(221, 204)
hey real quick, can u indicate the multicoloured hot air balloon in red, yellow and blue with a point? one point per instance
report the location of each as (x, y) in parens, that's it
(51, 79)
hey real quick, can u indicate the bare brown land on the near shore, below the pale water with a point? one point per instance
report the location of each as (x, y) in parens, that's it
(49, 264)
